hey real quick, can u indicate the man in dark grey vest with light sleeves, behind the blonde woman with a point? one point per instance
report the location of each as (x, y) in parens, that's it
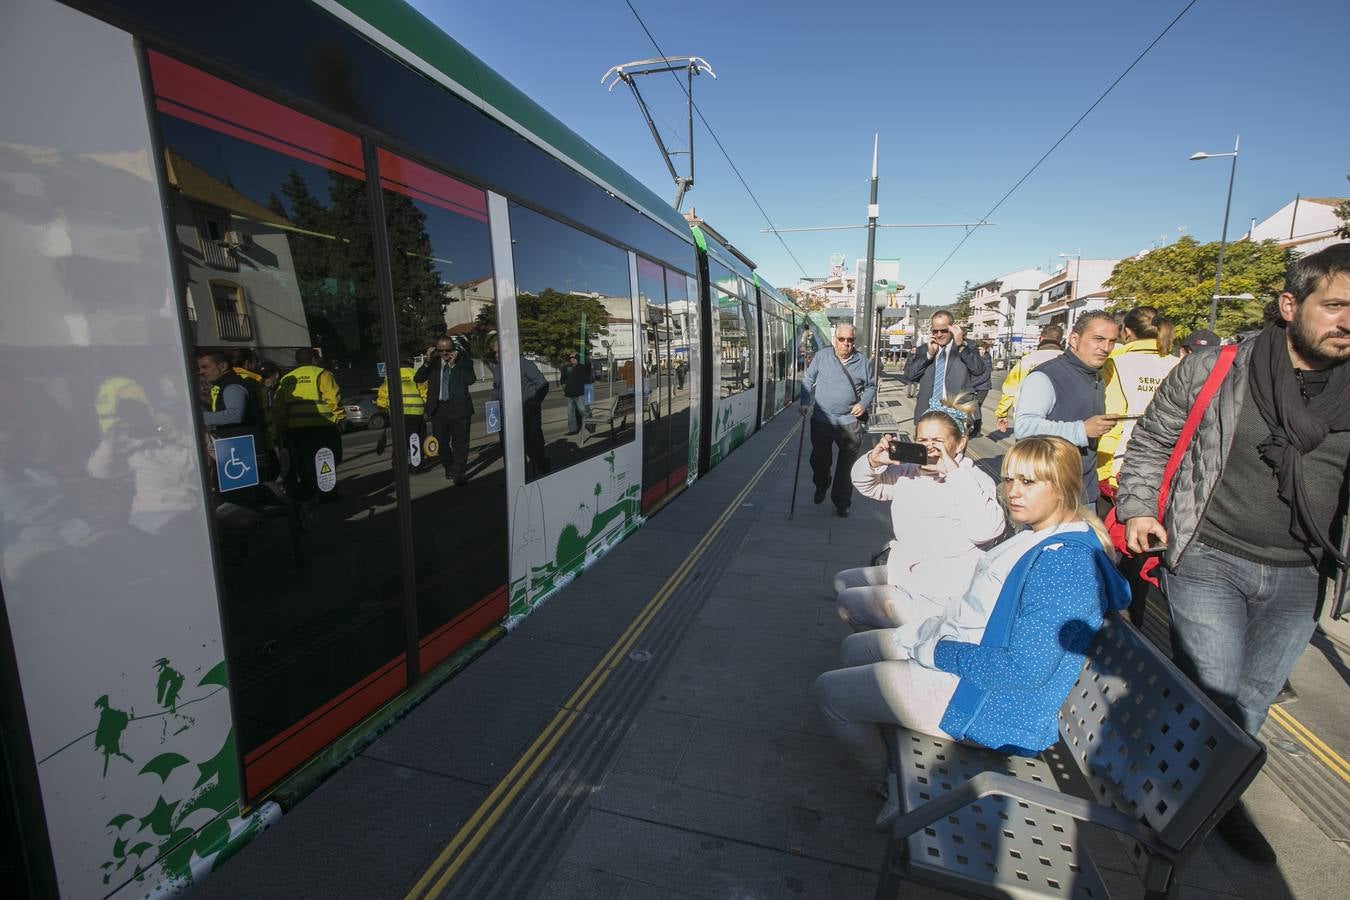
(1066, 396)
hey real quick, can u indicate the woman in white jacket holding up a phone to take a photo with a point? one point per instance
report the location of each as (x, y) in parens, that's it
(940, 512)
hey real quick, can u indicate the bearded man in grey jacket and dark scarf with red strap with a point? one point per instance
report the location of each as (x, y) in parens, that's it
(1258, 530)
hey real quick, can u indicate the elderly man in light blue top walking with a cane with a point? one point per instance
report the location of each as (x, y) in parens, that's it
(839, 388)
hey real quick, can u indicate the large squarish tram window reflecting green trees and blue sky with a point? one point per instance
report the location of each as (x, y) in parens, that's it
(573, 296)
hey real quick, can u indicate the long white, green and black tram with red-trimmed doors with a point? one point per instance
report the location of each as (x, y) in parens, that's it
(195, 625)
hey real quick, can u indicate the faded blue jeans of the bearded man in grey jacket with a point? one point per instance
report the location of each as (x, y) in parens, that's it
(1240, 627)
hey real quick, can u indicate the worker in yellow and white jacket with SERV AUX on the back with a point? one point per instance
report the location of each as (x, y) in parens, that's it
(1132, 376)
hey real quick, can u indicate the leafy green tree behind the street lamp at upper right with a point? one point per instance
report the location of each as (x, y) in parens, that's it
(1179, 281)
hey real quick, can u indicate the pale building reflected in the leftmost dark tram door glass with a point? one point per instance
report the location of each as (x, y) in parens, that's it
(206, 210)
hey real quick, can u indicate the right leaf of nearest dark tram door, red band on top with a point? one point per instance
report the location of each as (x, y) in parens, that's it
(442, 272)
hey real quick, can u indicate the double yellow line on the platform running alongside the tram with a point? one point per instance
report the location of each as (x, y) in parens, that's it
(472, 835)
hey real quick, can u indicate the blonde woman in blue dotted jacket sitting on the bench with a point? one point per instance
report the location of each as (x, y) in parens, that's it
(996, 670)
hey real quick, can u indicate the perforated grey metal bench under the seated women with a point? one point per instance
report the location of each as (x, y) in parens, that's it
(1162, 763)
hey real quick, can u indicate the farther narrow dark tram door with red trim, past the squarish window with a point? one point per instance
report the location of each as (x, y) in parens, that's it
(664, 298)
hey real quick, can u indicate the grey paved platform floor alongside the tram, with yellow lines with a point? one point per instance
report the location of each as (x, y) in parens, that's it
(674, 746)
